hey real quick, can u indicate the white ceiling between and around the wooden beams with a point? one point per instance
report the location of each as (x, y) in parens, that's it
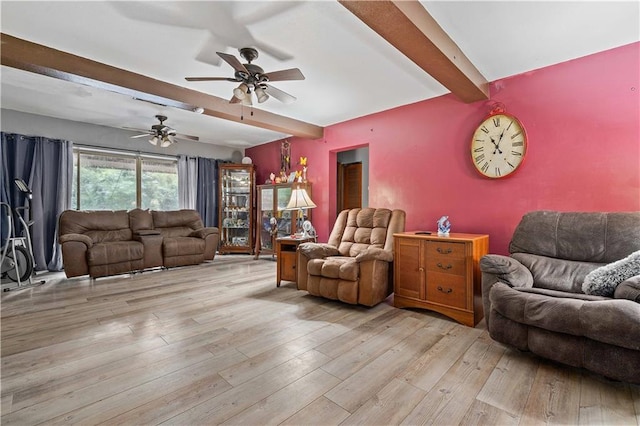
(350, 71)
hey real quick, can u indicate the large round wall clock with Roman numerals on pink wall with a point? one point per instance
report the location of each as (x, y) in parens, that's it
(498, 146)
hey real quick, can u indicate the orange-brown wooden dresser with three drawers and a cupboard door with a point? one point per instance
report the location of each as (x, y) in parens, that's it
(440, 273)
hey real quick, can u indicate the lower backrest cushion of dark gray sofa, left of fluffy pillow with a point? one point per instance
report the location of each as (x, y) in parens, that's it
(556, 274)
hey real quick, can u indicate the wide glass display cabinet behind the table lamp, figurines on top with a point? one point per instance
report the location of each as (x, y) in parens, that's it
(272, 201)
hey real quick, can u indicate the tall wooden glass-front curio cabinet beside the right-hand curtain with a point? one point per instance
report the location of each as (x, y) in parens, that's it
(236, 208)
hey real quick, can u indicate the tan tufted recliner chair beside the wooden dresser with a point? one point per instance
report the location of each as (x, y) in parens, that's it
(356, 265)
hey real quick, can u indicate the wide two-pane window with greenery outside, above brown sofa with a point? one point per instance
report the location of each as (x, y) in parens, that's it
(111, 180)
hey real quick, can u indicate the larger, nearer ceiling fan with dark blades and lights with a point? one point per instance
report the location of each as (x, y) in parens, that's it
(253, 79)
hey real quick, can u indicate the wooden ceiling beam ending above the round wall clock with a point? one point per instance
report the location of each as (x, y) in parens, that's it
(412, 30)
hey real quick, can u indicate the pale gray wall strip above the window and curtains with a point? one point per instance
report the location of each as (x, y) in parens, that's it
(101, 136)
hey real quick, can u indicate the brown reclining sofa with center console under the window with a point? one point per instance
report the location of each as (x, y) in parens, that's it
(102, 243)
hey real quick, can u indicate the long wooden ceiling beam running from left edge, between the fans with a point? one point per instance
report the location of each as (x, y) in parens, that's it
(28, 56)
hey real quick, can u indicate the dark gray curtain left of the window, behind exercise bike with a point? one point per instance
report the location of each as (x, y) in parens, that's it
(47, 167)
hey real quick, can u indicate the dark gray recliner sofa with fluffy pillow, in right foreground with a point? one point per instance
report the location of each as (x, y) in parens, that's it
(534, 298)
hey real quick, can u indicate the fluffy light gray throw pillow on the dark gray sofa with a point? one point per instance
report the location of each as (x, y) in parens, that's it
(604, 280)
